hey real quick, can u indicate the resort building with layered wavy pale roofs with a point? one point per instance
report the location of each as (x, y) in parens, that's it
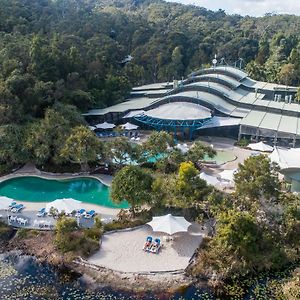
(221, 100)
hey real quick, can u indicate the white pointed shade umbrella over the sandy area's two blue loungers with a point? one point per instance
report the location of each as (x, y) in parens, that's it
(169, 224)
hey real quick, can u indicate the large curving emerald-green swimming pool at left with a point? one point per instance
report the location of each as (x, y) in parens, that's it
(36, 189)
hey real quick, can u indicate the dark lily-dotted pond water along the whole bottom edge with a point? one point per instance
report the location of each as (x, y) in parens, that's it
(23, 278)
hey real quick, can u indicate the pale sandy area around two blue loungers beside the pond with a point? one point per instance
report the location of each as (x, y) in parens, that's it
(123, 251)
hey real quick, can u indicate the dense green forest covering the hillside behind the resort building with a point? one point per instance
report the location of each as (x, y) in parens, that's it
(61, 57)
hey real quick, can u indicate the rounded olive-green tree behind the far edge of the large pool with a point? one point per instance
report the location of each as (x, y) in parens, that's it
(81, 147)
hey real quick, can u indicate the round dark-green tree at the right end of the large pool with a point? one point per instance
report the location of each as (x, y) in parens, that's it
(132, 184)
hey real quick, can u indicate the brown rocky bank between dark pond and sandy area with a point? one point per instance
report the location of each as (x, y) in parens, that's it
(98, 276)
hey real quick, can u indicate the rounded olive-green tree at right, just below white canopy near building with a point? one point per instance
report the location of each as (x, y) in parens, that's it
(257, 177)
